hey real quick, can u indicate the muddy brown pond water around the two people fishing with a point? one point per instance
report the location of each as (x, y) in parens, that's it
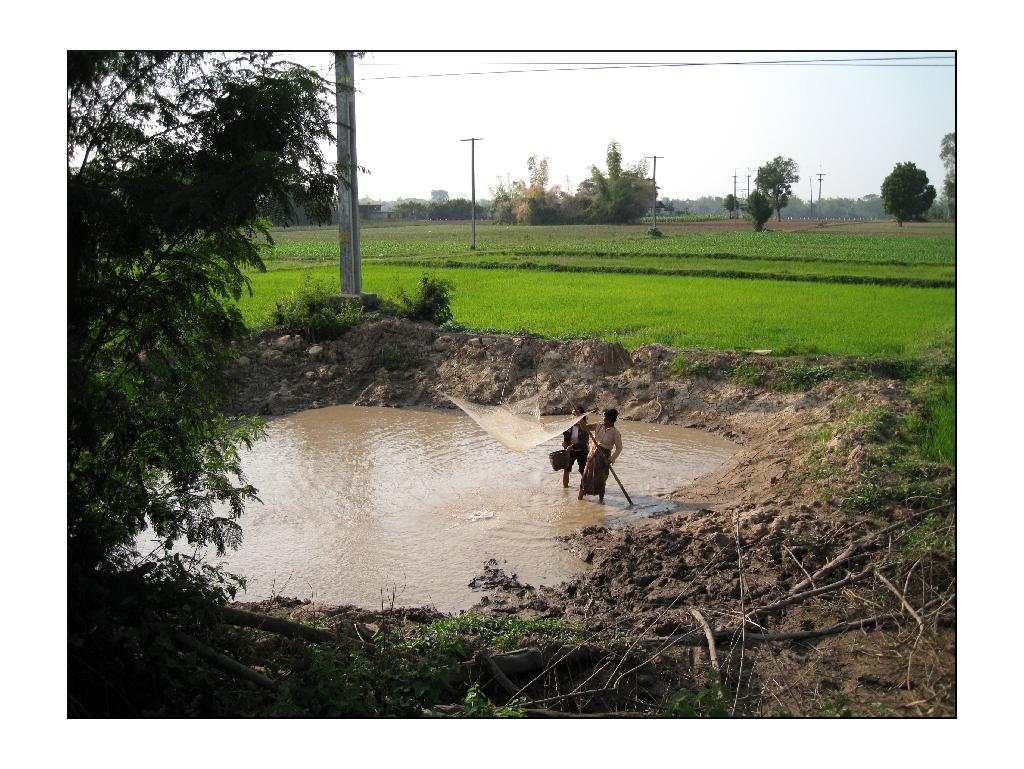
(362, 504)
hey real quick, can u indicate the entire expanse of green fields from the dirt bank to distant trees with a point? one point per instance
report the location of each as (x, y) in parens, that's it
(884, 294)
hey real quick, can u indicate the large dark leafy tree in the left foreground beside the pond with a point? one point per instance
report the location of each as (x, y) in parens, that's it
(170, 158)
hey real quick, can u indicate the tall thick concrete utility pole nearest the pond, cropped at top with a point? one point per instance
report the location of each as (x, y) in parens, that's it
(349, 195)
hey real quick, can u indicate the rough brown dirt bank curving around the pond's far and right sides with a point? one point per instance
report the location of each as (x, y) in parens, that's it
(759, 534)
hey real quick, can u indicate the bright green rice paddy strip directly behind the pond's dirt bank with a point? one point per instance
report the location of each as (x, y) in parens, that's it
(707, 313)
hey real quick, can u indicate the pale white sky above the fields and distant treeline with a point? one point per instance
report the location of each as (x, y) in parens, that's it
(852, 122)
